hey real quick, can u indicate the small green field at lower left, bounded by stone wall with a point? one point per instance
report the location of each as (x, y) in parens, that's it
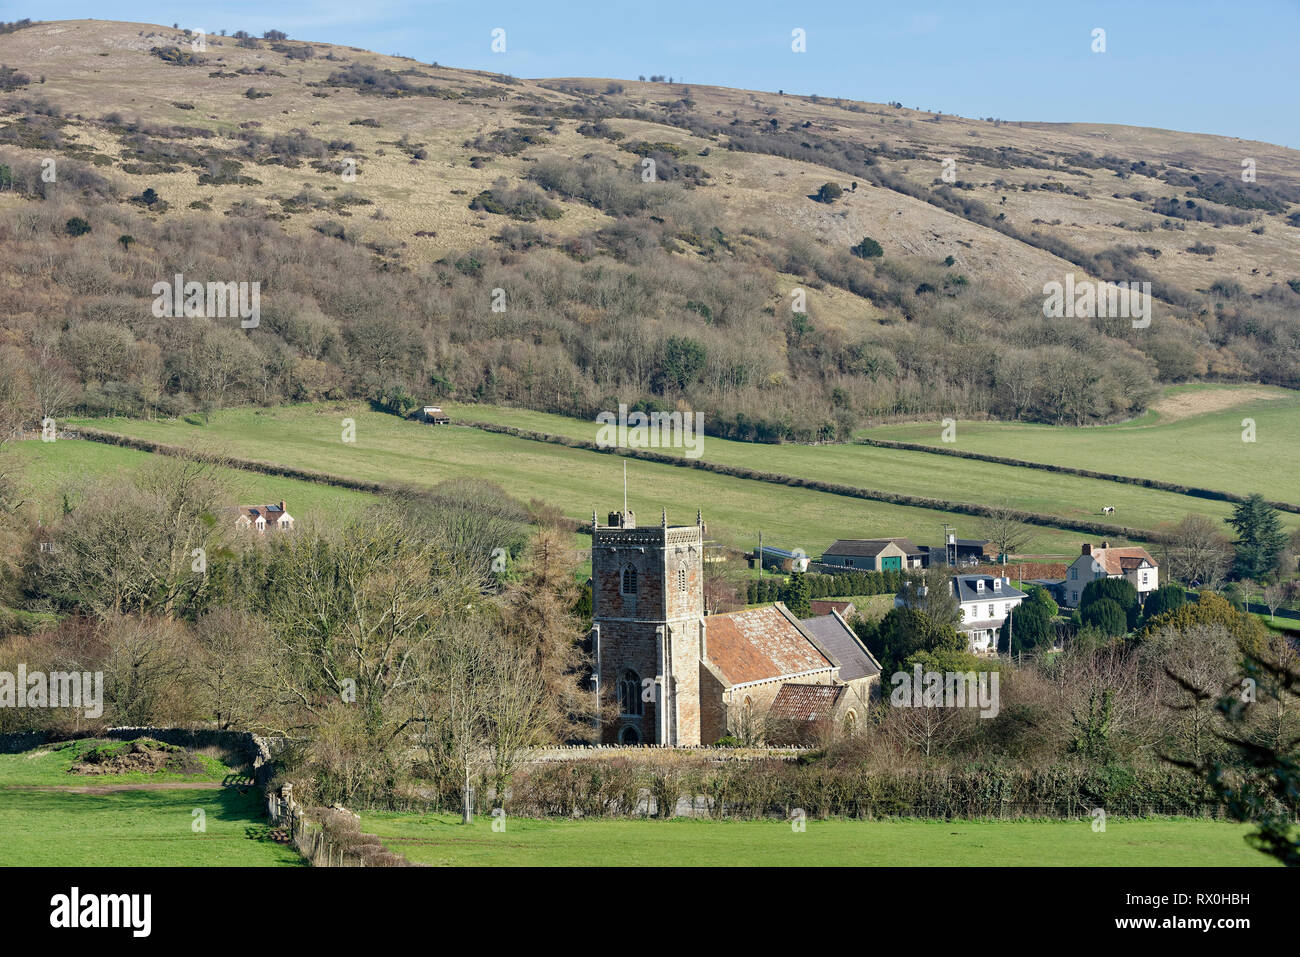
(129, 828)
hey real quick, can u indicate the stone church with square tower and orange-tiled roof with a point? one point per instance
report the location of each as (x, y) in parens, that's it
(682, 678)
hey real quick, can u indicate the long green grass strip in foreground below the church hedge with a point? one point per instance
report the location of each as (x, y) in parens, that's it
(439, 839)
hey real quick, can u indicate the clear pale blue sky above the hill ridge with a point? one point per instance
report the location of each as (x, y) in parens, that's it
(1230, 68)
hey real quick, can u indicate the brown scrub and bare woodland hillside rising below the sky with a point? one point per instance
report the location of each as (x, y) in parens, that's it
(475, 190)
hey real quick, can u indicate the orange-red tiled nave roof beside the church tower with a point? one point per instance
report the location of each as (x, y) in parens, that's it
(761, 644)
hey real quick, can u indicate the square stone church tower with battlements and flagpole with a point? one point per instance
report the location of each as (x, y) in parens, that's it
(648, 609)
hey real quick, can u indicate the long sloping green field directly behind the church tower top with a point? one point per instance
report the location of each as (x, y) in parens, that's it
(389, 449)
